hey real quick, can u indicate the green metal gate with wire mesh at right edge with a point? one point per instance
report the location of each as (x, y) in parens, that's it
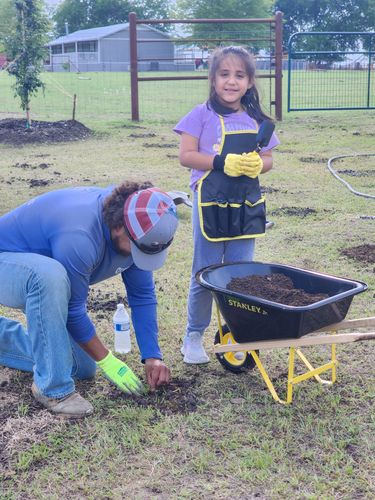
(335, 71)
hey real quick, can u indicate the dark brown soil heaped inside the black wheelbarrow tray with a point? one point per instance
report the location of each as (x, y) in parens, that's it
(276, 288)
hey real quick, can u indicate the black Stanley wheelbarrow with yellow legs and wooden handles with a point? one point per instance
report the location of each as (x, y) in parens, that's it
(253, 323)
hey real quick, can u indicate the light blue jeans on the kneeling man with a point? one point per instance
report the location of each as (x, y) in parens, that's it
(40, 287)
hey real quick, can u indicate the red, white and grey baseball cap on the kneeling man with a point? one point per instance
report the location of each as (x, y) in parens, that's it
(150, 220)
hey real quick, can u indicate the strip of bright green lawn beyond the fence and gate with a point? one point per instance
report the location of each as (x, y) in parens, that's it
(106, 95)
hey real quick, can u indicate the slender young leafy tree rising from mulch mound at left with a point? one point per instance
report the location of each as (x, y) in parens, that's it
(26, 50)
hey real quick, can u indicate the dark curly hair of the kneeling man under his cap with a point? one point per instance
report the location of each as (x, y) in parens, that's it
(113, 207)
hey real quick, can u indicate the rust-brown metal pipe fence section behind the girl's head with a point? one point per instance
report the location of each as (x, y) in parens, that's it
(205, 35)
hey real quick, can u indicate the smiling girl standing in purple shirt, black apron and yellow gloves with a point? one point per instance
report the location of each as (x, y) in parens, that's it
(218, 139)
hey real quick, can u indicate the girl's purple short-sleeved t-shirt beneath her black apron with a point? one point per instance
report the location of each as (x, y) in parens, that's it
(204, 124)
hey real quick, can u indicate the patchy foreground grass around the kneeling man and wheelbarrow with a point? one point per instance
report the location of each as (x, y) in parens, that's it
(238, 443)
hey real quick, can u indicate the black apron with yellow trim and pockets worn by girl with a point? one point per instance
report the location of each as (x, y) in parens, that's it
(231, 208)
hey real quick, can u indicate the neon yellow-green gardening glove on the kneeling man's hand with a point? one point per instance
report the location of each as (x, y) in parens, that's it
(117, 372)
